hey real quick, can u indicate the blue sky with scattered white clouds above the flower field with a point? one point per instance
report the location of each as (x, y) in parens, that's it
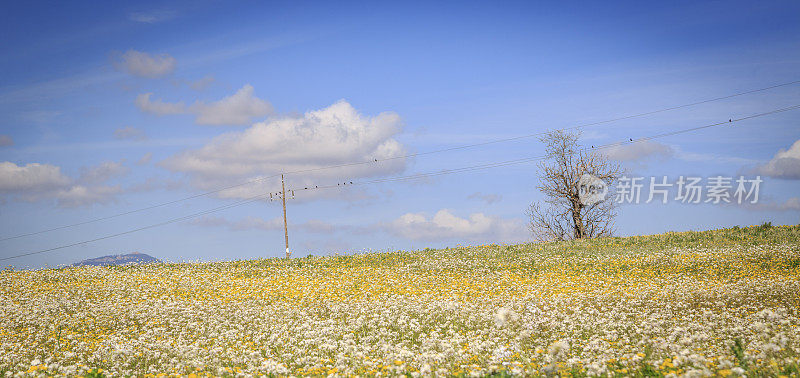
(107, 108)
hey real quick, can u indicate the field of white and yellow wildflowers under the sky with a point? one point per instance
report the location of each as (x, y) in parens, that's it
(724, 303)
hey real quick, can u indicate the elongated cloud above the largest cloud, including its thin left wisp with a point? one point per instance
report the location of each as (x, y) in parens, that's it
(237, 109)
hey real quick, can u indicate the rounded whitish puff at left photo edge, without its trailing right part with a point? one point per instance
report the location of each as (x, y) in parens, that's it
(32, 177)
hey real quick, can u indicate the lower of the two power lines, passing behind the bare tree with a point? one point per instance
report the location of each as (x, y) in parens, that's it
(416, 176)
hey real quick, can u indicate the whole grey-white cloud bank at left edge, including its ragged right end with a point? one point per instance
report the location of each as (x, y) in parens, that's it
(35, 182)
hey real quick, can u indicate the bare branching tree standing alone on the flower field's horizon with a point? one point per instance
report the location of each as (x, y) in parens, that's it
(574, 182)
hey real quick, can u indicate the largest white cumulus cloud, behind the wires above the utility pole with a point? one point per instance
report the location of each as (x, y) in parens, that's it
(334, 135)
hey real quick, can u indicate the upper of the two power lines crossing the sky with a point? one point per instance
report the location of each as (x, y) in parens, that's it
(374, 160)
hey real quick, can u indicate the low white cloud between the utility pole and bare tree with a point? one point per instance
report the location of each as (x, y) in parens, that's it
(446, 225)
